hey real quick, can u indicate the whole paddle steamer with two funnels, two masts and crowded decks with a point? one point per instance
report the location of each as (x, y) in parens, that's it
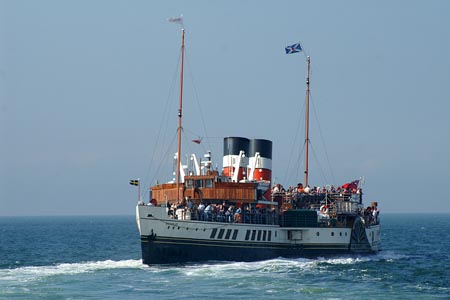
(237, 215)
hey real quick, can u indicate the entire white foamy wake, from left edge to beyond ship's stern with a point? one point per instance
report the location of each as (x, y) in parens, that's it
(213, 269)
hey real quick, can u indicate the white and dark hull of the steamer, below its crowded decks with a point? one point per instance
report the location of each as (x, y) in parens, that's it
(167, 240)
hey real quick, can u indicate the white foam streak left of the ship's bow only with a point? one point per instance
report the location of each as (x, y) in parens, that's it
(33, 273)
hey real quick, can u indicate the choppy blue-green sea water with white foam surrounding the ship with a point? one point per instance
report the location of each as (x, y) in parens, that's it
(99, 258)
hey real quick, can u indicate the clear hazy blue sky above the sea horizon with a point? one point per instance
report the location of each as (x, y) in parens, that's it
(84, 86)
